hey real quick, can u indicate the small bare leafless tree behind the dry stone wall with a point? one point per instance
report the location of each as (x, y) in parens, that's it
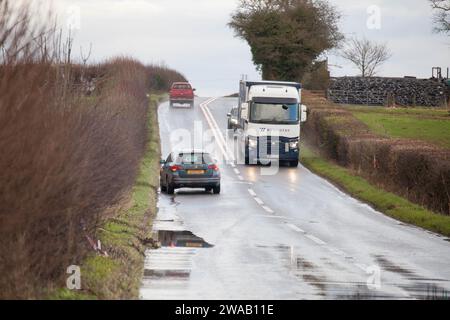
(367, 56)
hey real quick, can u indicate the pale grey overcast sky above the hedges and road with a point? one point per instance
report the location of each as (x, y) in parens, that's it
(192, 36)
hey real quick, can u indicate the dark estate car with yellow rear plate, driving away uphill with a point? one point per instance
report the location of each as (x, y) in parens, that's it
(189, 169)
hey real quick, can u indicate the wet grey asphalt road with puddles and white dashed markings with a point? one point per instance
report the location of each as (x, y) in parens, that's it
(291, 235)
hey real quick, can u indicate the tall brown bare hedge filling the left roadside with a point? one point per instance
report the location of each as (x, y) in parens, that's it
(67, 159)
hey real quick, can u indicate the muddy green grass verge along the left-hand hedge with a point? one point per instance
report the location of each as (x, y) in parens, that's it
(118, 275)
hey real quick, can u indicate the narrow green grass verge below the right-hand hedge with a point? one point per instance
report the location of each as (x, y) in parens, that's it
(386, 202)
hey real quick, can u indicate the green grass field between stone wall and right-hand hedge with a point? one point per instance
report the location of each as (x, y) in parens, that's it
(411, 123)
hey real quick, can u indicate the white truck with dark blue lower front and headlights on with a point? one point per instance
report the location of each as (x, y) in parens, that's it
(269, 117)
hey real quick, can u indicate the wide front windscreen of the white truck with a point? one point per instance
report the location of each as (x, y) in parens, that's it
(274, 113)
